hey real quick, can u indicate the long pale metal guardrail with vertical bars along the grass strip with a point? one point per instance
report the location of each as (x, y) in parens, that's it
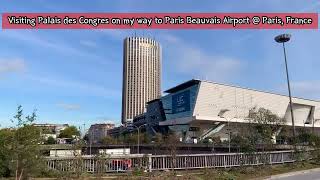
(148, 162)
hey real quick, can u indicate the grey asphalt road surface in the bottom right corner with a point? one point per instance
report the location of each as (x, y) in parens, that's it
(306, 175)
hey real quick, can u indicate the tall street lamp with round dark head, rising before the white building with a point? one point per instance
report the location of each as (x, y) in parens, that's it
(282, 39)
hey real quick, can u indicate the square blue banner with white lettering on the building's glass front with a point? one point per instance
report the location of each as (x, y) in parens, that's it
(181, 102)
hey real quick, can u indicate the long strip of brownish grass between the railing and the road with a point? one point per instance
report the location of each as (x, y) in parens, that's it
(238, 173)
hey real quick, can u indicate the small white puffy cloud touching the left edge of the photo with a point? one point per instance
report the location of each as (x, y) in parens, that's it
(12, 66)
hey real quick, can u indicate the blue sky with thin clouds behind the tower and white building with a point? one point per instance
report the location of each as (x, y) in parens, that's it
(75, 76)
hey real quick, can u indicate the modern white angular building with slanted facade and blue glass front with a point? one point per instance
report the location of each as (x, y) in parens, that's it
(192, 108)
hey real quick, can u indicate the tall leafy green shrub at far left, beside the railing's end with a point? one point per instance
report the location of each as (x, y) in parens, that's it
(22, 145)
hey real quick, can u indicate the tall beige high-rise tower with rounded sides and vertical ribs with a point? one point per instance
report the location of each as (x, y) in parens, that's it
(141, 75)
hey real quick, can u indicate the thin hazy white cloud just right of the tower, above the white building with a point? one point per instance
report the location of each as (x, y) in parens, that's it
(191, 60)
